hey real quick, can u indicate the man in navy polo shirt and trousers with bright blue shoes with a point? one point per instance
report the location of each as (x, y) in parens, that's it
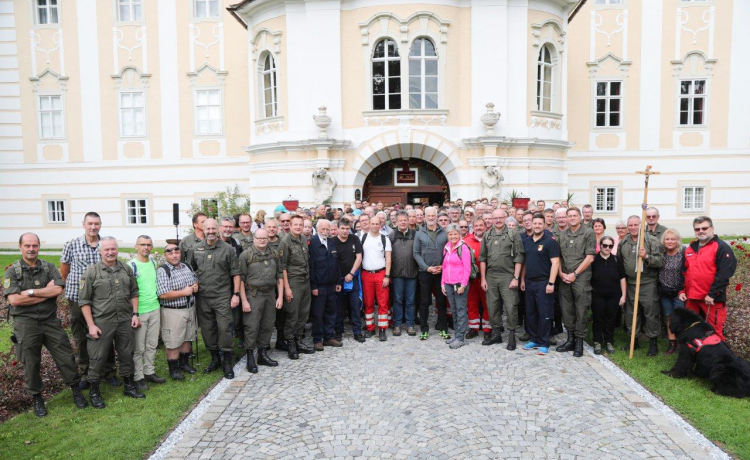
(539, 274)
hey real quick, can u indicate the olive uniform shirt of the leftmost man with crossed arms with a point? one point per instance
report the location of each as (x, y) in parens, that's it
(32, 278)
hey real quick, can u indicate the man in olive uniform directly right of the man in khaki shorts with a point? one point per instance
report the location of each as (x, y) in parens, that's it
(215, 265)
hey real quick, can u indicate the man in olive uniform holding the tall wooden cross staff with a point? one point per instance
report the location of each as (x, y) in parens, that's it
(627, 255)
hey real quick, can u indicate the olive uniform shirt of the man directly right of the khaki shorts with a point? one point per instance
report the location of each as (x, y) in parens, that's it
(214, 266)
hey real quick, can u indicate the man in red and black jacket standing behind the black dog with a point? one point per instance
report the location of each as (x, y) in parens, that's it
(708, 265)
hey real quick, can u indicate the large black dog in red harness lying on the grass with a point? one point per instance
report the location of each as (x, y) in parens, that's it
(702, 355)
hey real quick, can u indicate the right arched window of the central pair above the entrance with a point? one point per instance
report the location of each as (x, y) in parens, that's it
(423, 75)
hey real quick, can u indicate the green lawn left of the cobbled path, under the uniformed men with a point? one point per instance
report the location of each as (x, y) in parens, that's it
(127, 428)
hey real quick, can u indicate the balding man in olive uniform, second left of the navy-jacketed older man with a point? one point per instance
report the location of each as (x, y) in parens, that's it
(261, 294)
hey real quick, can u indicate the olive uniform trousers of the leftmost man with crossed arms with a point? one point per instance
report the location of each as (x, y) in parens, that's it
(31, 335)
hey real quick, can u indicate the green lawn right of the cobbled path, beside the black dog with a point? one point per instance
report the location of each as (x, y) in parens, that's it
(725, 421)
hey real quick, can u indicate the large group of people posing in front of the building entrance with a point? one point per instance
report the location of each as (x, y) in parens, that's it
(482, 266)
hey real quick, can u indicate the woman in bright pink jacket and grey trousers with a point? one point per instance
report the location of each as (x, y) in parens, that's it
(455, 282)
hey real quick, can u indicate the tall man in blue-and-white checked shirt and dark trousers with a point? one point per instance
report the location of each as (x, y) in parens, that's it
(78, 254)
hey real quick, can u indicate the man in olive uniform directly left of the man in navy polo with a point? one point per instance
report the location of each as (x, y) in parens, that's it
(501, 258)
